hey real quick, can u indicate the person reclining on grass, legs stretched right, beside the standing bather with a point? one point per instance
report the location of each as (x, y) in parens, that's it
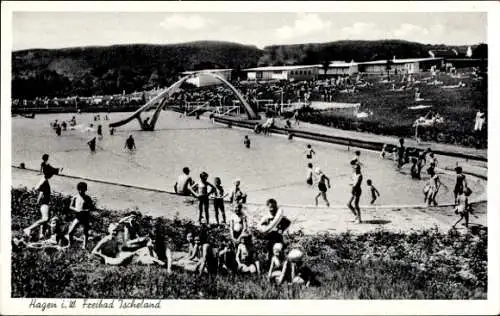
(110, 249)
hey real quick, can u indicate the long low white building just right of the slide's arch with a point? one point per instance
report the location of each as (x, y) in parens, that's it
(295, 73)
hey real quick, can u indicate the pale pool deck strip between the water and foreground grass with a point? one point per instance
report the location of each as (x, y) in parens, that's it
(334, 220)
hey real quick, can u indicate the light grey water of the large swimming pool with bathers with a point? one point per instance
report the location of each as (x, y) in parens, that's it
(273, 167)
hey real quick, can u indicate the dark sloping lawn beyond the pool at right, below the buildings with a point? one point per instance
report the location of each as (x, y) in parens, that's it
(391, 115)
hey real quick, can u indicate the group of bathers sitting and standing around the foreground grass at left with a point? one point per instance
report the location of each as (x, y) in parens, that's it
(127, 242)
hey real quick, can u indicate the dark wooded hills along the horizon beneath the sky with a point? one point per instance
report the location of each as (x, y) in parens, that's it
(86, 71)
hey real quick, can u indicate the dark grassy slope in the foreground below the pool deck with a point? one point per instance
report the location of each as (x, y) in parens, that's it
(378, 265)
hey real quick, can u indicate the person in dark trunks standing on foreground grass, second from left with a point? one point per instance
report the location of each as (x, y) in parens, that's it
(81, 204)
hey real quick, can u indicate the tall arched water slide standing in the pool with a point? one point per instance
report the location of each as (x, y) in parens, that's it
(168, 92)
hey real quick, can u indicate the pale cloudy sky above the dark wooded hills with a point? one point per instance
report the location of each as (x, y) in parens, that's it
(71, 29)
